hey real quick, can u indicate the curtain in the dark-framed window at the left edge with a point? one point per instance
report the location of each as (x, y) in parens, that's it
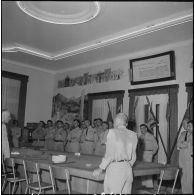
(10, 95)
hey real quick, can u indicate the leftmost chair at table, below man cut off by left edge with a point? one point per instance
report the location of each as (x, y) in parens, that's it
(11, 176)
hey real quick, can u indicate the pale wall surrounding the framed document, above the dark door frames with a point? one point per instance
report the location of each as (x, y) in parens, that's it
(184, 74)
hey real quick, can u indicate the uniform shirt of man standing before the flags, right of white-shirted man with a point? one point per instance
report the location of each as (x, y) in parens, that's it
(149, 142)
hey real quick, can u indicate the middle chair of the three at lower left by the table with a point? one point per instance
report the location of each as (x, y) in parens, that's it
(33, 167)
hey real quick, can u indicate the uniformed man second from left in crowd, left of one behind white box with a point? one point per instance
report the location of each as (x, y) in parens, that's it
(50, 132)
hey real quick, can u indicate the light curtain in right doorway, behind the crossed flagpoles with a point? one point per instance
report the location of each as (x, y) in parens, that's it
(162, 100)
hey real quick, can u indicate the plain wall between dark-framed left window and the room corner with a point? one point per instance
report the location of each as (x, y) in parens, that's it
(39, 91)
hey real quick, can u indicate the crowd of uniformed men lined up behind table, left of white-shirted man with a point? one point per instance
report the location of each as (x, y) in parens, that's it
(79, 137)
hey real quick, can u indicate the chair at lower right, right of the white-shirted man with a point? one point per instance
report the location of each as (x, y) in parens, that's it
(166, 174)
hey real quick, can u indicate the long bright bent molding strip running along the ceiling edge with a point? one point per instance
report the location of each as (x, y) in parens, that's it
(146, 29)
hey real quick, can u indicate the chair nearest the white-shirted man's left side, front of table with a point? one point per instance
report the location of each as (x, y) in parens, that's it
(63, 174)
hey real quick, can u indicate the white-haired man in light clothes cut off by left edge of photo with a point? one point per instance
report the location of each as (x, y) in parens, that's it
(6, 117)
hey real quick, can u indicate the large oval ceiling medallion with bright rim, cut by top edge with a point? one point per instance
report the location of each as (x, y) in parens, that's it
(61, 12)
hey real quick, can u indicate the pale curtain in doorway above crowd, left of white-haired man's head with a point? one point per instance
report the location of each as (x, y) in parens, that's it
(100, 108)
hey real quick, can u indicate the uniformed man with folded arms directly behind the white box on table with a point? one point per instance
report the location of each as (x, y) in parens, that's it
(60, 136)
